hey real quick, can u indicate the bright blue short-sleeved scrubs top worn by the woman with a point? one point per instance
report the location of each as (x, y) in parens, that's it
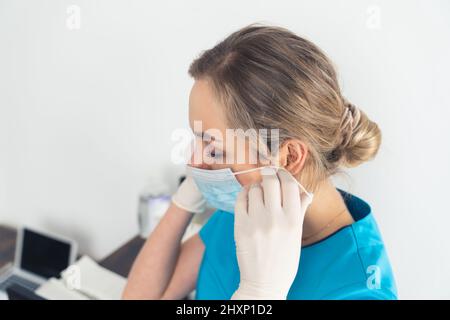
(350, 264)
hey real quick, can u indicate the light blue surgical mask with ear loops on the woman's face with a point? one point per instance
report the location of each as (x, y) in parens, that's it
(220, 188)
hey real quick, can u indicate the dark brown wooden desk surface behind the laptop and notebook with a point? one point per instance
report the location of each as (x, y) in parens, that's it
(120, 261)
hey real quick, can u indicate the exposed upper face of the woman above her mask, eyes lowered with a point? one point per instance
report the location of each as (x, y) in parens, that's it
(213, 151)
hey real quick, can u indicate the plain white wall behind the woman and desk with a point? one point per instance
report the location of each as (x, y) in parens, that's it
(86, 115)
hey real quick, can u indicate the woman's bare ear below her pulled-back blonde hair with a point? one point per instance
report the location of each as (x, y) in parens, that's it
(293, 154)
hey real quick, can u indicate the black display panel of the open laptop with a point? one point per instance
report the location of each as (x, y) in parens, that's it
(43, 255)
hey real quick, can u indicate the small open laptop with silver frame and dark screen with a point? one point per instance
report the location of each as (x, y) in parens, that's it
(39, 256)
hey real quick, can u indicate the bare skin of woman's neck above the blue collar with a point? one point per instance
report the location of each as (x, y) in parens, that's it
(326, 214)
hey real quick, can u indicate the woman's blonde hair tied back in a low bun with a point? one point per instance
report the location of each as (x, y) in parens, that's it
(269, 78)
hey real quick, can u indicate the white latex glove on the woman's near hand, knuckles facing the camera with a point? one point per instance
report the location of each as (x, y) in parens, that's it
(268, 235)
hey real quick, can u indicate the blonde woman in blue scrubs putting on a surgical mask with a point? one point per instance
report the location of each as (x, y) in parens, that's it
(282, 230)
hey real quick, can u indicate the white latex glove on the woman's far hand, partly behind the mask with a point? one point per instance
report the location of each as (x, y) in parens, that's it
(188, 197)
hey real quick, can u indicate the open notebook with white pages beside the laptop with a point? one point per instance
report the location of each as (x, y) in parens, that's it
(84, 280)
